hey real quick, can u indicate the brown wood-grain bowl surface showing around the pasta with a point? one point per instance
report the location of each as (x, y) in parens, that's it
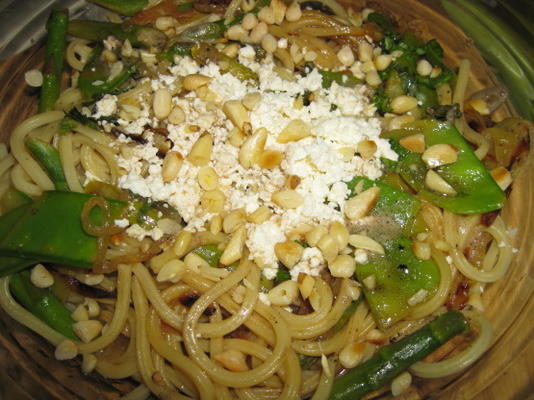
(28, 369)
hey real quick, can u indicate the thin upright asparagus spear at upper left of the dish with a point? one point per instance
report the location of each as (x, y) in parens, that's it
(54, 55)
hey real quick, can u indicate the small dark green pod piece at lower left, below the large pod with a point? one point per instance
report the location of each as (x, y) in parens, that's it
(42, 303)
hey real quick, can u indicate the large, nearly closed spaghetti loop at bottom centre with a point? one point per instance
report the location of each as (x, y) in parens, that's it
(216, 372)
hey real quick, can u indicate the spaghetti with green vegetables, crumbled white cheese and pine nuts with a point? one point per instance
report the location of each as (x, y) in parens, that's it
(255, 200)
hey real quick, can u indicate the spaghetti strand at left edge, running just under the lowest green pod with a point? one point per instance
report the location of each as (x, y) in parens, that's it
(20, 314)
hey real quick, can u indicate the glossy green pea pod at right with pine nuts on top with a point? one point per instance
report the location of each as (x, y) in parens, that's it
(477, 192)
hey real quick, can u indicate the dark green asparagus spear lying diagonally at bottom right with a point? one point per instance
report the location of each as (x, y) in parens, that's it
(394, 358)
